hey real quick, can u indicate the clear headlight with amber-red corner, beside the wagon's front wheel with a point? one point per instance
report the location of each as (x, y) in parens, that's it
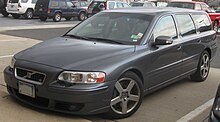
(82, 77)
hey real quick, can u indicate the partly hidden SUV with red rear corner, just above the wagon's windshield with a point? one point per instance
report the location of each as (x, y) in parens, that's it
(99, 5)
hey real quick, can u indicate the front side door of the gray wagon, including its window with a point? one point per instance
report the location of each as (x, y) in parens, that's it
(166, 61)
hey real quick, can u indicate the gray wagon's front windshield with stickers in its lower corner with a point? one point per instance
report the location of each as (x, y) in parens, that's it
(125, 28)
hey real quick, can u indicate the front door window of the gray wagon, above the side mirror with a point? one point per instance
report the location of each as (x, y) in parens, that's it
(165, 27)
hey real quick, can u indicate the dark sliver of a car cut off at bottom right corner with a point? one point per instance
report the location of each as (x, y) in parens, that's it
(215, 112)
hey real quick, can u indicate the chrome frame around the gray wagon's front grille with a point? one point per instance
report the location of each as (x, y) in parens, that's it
(29, 81)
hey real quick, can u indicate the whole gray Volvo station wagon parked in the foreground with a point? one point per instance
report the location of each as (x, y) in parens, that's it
(107, 63)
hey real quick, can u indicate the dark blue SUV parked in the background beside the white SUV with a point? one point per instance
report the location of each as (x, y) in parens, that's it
(57, 9)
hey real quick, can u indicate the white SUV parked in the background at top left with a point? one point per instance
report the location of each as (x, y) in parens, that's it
(21, 7)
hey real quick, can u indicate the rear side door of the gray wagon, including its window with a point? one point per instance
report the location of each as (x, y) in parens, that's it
(191, 45)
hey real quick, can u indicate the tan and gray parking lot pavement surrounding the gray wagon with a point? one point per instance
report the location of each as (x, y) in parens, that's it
(169, 104)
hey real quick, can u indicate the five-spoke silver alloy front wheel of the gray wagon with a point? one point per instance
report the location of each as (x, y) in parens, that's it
(126, 96)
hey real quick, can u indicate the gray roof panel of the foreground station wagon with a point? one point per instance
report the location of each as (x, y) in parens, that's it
(153, 10)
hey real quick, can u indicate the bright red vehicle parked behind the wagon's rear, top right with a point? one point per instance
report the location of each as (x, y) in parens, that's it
(215, 17)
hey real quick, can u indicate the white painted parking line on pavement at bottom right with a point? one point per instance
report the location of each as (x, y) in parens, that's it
(188, 117)
